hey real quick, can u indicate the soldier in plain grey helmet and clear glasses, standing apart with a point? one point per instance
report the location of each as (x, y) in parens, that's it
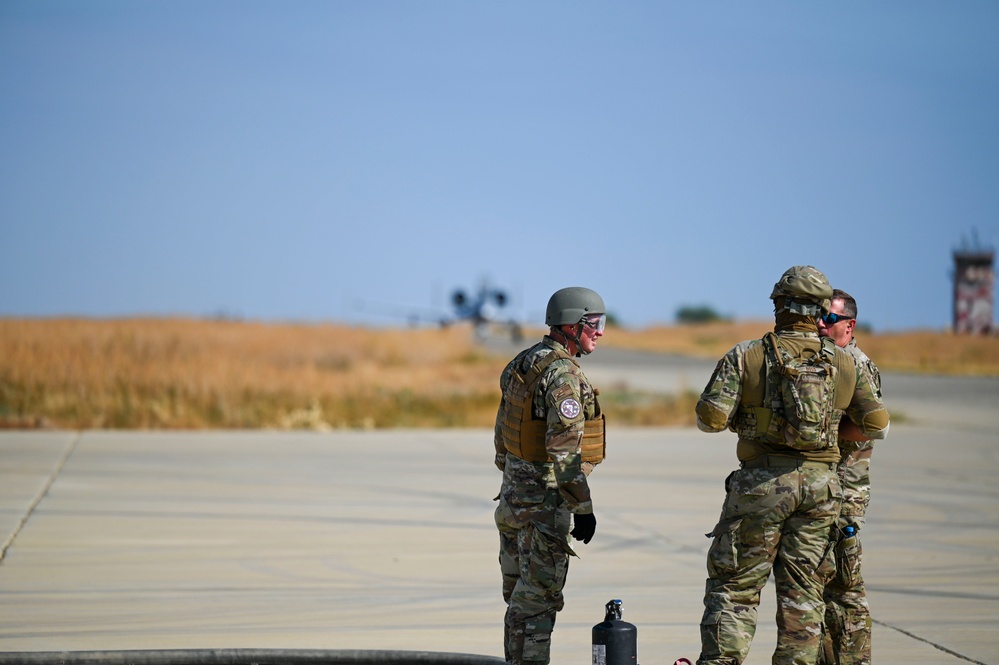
(549, 435)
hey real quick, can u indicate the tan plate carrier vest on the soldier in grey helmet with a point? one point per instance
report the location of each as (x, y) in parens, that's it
(524, 436)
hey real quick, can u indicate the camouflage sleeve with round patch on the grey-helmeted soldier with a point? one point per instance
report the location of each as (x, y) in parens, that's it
(564, 405)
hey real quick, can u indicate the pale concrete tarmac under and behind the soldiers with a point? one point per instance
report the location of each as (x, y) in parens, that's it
(385, 540)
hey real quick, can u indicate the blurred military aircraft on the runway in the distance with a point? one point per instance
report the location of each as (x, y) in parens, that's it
(482, 308)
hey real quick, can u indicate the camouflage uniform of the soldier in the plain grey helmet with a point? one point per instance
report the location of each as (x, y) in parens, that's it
(536, 500)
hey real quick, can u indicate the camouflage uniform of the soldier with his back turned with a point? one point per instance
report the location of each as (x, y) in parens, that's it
(780, 508)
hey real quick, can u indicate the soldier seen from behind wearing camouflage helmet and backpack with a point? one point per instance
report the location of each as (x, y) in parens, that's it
(784, 395)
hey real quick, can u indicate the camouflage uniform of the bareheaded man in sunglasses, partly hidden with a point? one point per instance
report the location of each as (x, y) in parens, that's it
(847, 637)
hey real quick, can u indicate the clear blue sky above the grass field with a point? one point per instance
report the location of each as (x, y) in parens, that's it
(280, 160)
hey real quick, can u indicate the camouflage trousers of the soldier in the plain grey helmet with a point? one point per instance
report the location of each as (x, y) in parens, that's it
(534, 560)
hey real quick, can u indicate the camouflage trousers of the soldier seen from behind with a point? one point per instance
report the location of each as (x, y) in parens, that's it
(776, 519)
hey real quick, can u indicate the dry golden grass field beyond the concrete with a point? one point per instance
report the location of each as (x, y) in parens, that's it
(196, 374)
